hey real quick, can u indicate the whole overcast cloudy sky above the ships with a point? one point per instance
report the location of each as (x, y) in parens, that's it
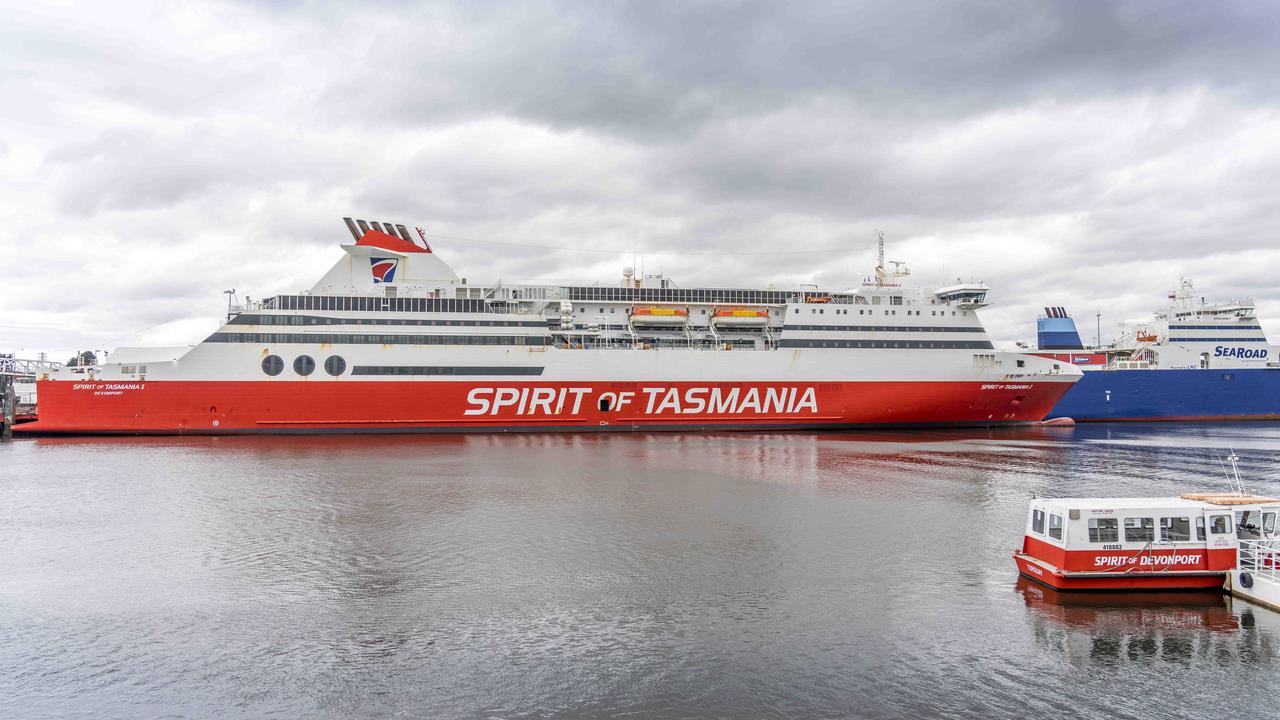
(1067, 153)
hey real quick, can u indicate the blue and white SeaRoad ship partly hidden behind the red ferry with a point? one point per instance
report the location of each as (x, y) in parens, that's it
(1194, 361)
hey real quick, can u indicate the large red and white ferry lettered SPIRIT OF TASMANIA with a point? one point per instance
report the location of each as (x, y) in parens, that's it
(392, 340)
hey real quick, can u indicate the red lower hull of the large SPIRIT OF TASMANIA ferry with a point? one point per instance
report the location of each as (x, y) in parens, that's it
(292, 407)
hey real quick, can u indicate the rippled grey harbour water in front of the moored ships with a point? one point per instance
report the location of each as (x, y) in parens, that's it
(650, 576)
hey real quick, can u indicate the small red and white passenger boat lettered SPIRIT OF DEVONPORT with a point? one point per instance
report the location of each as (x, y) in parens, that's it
(1142, 544)
